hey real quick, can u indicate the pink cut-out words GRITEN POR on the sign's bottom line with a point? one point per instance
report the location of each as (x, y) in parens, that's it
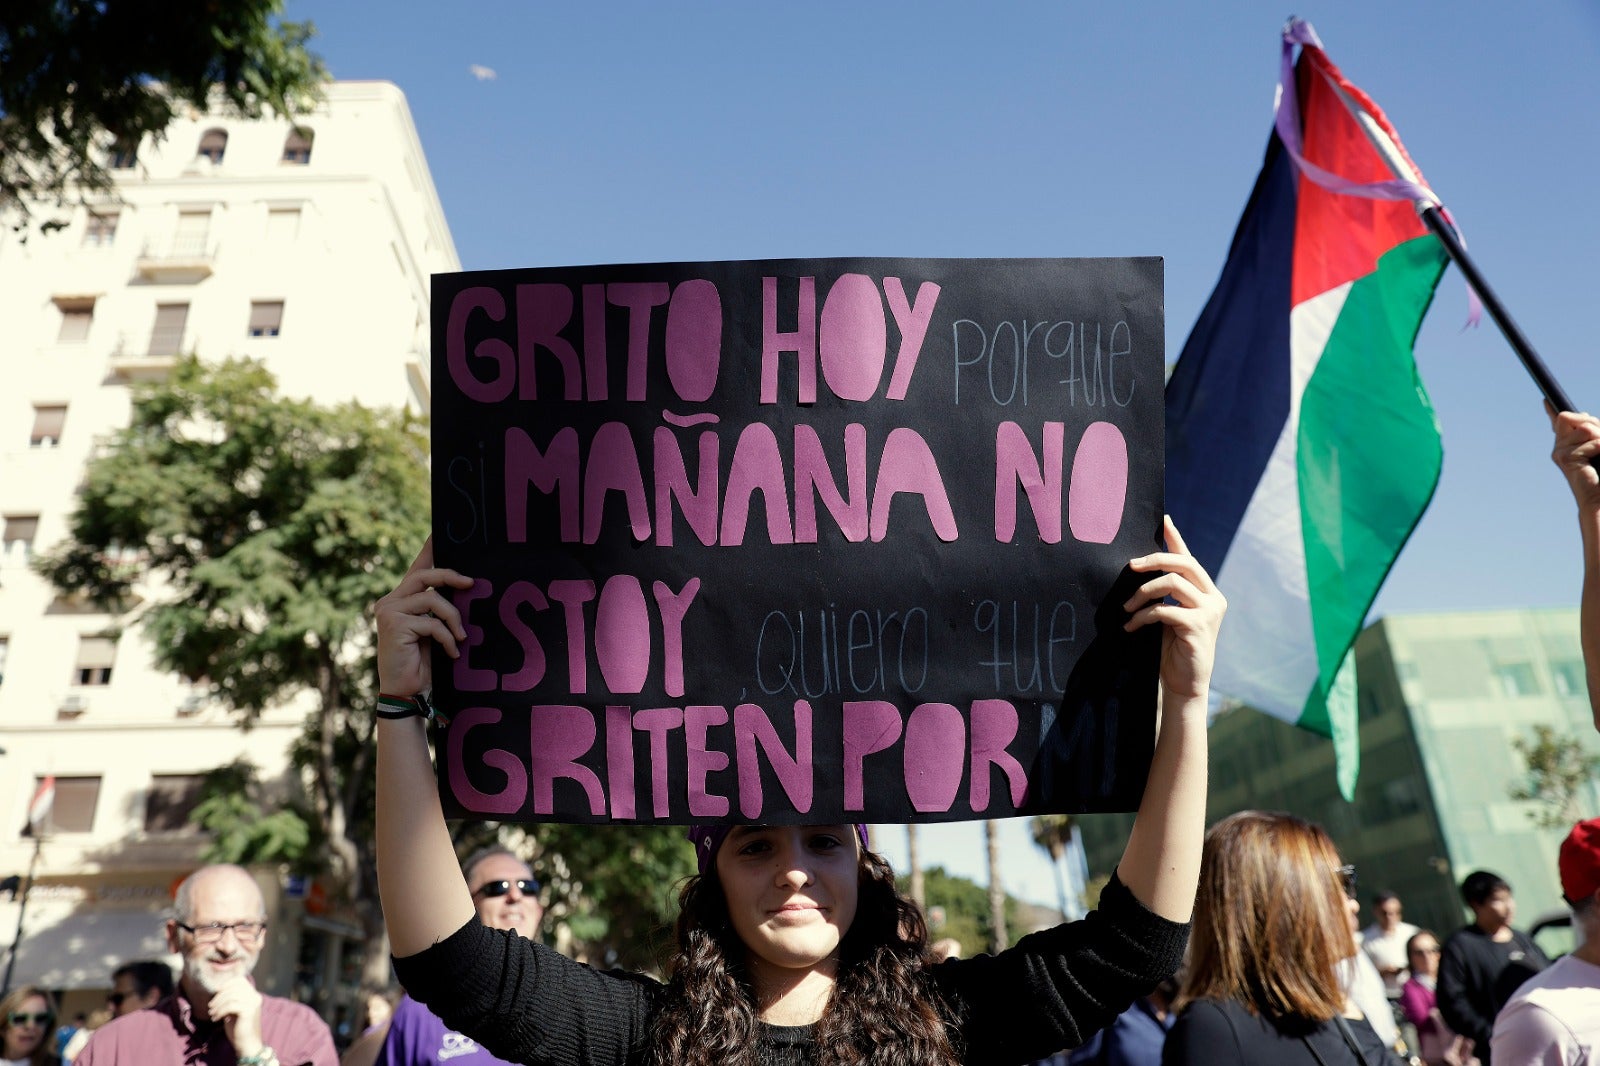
(937, 748)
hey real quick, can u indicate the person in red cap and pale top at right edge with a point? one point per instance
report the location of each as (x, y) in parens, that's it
(1554, 1019)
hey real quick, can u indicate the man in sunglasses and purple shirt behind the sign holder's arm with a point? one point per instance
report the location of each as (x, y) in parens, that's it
(506, 897)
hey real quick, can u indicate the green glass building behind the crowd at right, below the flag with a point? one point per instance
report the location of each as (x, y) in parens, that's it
(1442, 700)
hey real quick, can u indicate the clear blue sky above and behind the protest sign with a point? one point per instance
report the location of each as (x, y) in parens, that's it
(633, 132)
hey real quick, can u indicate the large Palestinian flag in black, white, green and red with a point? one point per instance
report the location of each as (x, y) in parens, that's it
(1302, 446)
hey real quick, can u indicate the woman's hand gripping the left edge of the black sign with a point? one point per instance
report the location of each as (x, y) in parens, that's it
(412, 619)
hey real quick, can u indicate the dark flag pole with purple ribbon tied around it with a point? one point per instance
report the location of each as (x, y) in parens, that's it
(1428, 209)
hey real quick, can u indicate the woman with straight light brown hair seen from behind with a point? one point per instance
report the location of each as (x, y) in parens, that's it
(1270, 934)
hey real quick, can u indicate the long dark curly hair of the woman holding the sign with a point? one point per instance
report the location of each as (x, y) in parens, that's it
(886, 1009)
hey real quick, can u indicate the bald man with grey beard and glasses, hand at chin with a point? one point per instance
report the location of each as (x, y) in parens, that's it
(215, 1017)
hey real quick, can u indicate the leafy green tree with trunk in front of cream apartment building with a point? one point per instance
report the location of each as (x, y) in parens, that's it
(250, 534)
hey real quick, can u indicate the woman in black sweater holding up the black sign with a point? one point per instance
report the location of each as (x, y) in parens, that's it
(793, 944)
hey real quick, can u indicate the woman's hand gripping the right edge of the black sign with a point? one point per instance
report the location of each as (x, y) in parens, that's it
(1191, 622)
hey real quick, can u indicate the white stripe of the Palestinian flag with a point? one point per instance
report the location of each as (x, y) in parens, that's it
(1268, 651)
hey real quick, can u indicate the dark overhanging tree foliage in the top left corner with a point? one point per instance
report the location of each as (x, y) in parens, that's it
(79, 76)
